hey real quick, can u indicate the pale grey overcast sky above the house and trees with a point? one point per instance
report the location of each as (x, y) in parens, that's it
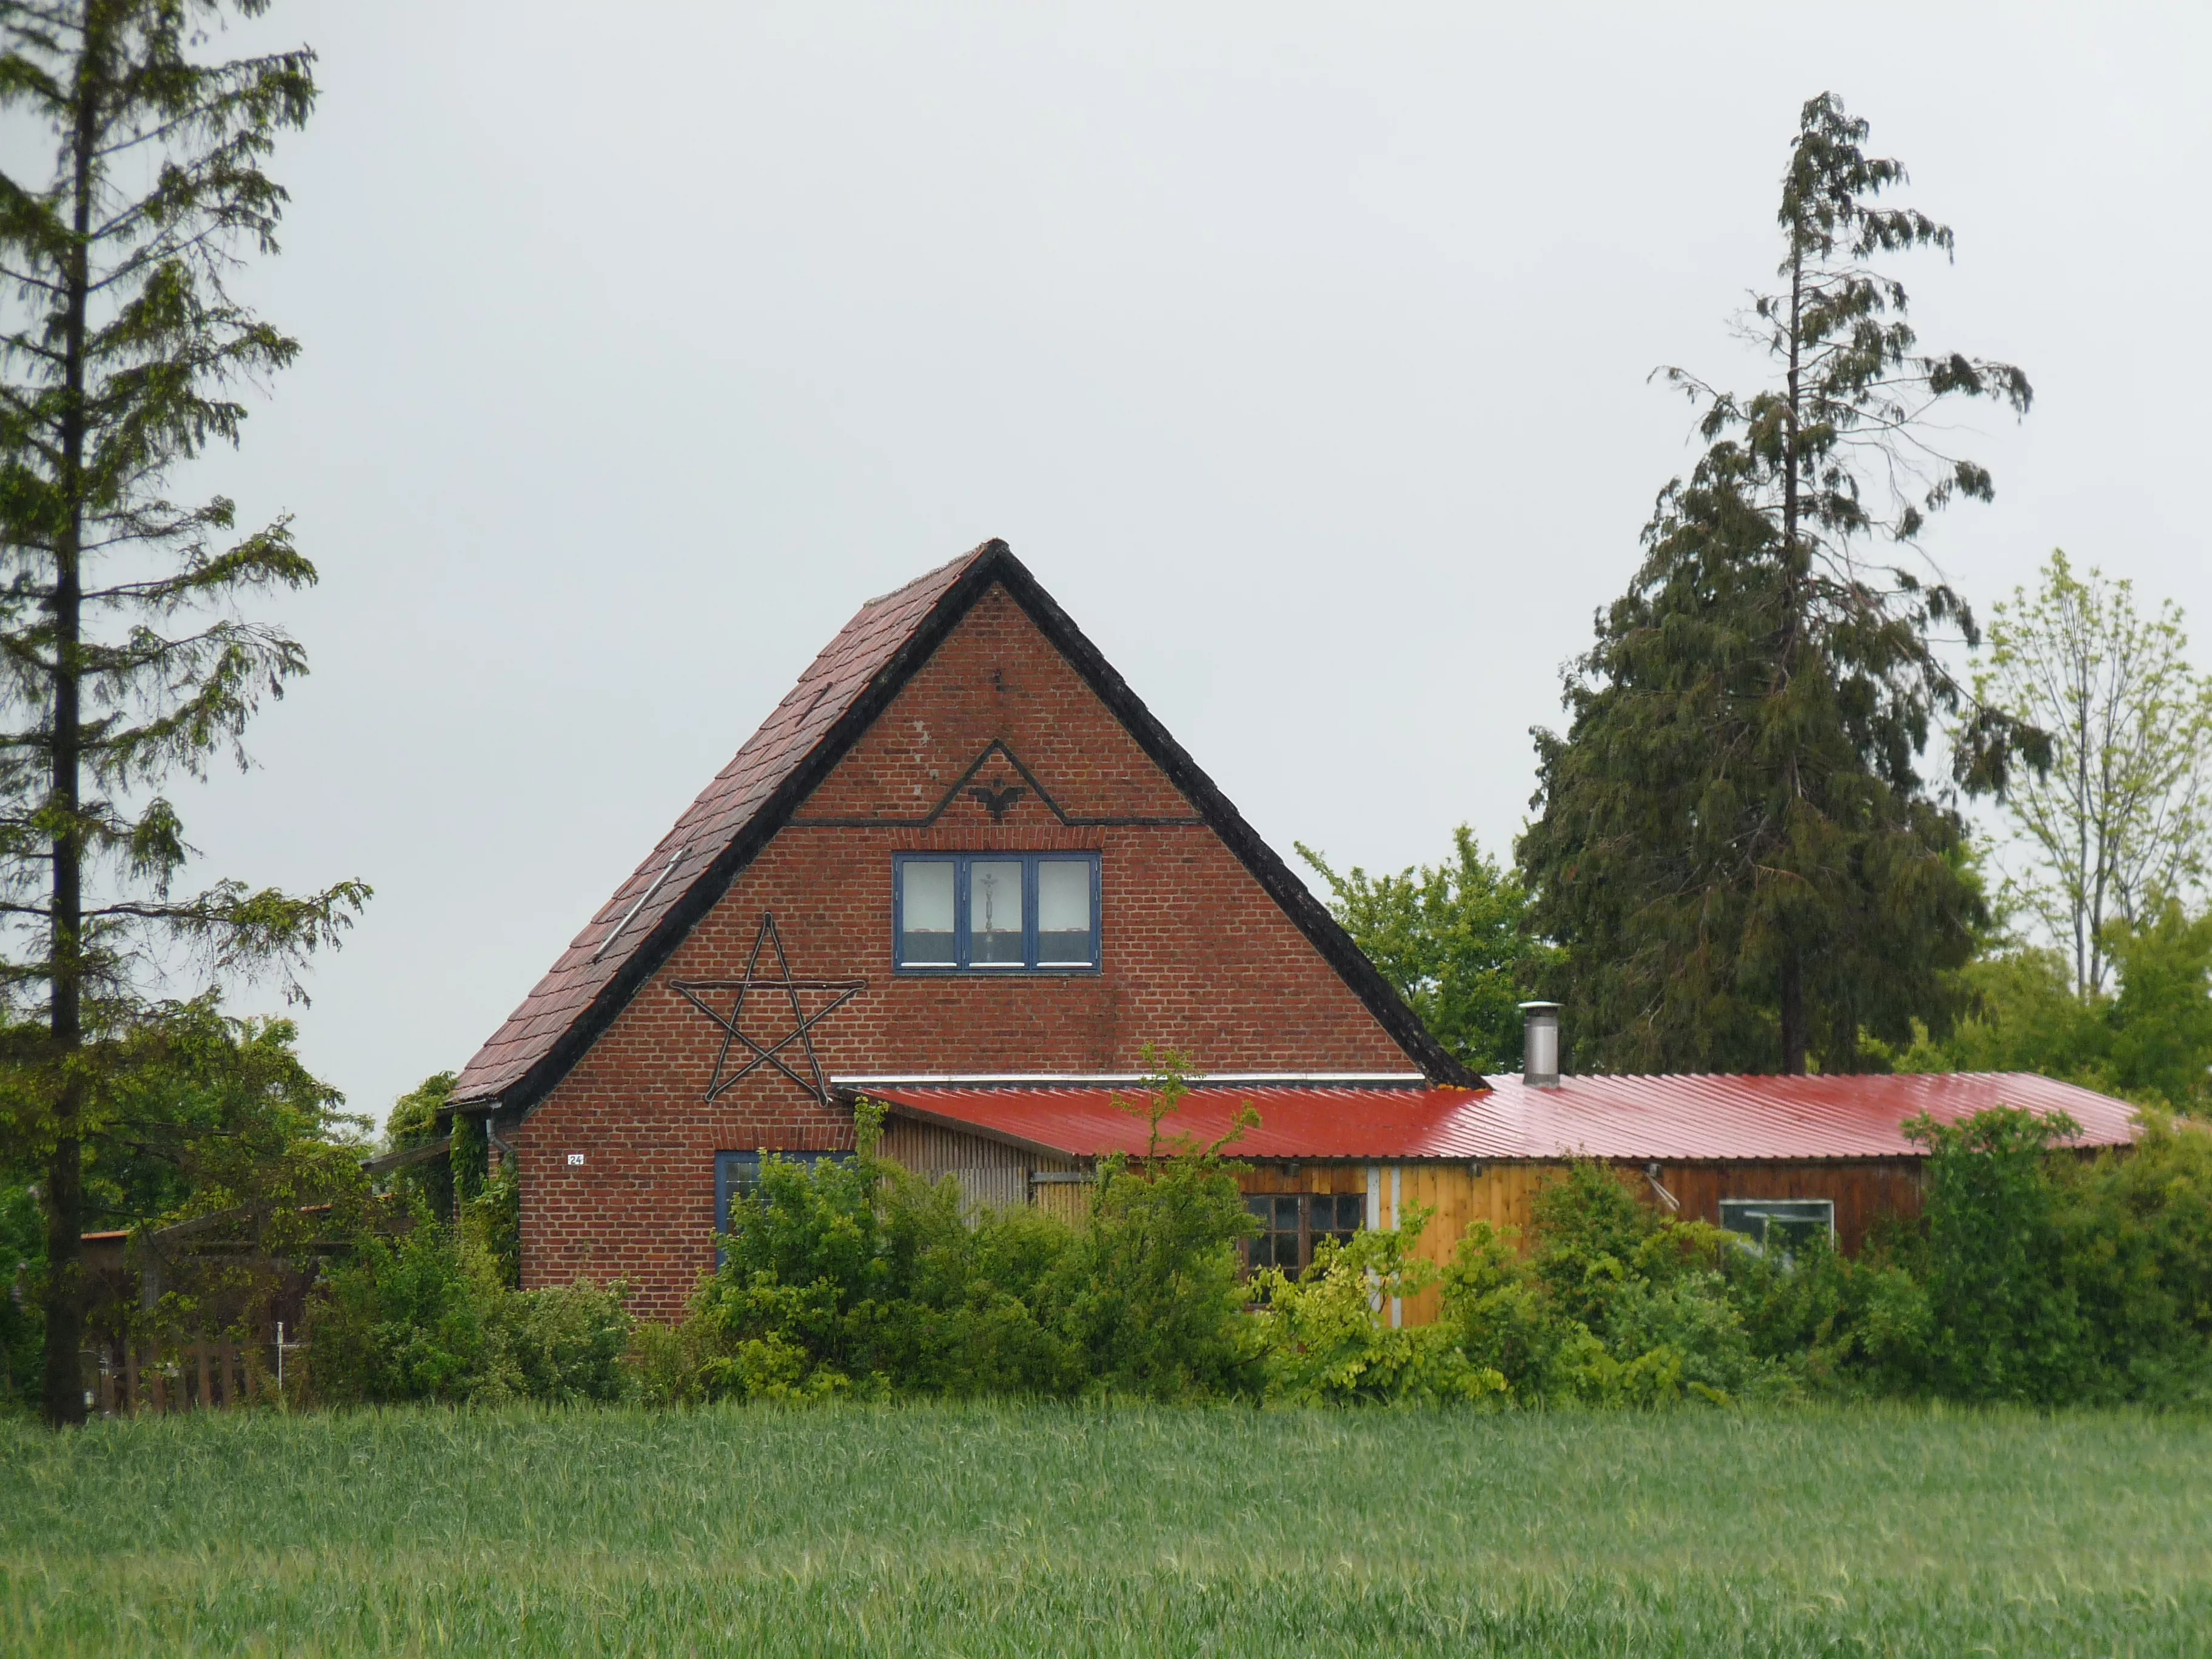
(1300, 351)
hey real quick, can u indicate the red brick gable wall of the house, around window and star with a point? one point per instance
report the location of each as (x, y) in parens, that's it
(1193, 957)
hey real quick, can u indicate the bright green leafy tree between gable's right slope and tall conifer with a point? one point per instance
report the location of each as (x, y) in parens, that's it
(1452, 939)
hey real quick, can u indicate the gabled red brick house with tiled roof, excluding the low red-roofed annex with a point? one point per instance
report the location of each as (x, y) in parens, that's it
(961, 775)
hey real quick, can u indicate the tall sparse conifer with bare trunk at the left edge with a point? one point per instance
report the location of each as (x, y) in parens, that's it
(127, 656)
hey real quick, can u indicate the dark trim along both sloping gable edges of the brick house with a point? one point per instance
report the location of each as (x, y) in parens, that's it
(992, 565)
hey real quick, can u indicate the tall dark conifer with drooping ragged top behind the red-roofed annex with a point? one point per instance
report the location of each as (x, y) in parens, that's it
(1733, 839)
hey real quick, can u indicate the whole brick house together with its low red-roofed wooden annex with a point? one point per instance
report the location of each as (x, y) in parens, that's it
(963, 870)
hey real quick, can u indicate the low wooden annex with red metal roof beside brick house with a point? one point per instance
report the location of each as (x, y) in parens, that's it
(1342, 1151)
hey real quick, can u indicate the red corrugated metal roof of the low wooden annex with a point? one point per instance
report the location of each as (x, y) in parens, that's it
(1616, 1118)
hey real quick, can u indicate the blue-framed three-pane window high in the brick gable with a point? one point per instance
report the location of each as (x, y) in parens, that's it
(997, 912)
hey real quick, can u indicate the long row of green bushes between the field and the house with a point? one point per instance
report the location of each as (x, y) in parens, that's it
(2034, 1277)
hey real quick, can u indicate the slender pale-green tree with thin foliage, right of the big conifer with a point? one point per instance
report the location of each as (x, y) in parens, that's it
(2122, 820)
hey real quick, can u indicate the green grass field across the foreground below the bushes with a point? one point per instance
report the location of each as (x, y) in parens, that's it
(1032, 1530)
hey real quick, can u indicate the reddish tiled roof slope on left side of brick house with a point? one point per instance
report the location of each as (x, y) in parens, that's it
(709, 828)
